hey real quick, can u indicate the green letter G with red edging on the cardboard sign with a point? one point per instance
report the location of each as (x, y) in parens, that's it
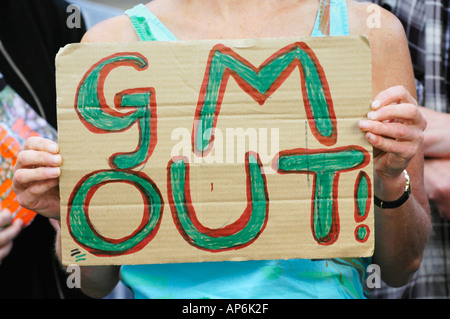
(98, 117)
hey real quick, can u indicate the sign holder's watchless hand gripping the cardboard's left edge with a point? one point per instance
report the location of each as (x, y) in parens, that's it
(36, 177)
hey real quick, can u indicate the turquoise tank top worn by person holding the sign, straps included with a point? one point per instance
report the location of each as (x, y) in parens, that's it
(271, 279)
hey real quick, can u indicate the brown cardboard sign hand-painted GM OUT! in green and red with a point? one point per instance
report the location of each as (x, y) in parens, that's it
(215, 150)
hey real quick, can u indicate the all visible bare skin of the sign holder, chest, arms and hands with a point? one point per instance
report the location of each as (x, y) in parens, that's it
(395, 128)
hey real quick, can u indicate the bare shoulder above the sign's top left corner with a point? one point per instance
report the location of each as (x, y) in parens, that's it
(116, 29)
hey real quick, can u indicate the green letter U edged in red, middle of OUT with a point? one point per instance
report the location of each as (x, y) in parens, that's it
(237, 235)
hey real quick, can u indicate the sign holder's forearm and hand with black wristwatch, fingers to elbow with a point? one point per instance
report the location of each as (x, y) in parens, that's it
(401, 233)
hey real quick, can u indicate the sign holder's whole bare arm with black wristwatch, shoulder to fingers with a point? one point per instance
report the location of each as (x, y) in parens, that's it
(396, 133)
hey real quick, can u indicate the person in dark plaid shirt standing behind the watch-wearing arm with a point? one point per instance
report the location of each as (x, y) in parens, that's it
(427, 26)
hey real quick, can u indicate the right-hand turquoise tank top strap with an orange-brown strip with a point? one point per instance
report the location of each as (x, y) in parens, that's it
(332, 19)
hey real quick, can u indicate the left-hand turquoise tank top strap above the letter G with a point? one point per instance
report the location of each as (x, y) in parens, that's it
(147, 26)
